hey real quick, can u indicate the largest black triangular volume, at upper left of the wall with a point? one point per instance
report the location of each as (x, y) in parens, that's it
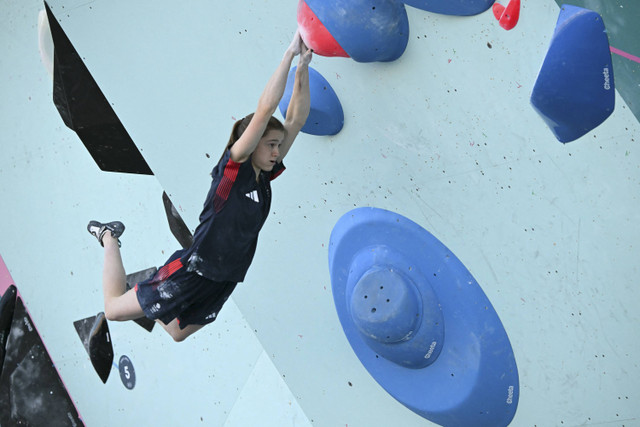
(84, 109)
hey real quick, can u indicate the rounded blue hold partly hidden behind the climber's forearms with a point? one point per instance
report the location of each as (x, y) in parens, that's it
(326, 116)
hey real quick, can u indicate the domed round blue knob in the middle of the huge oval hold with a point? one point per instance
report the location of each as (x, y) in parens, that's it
(395, 310)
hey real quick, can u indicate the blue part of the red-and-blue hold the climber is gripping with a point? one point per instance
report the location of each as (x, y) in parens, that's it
(368, 30)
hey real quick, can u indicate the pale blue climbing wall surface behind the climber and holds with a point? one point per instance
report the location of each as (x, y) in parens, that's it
(444, 135)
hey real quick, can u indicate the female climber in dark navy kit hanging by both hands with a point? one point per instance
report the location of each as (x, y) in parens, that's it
(189, 290)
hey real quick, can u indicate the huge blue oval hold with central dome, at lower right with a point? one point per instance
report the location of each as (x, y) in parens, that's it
(419, 322)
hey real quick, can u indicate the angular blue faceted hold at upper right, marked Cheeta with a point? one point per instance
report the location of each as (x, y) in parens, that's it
(574, 91)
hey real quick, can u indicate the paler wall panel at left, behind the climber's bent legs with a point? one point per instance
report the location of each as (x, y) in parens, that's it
(49, 189)
